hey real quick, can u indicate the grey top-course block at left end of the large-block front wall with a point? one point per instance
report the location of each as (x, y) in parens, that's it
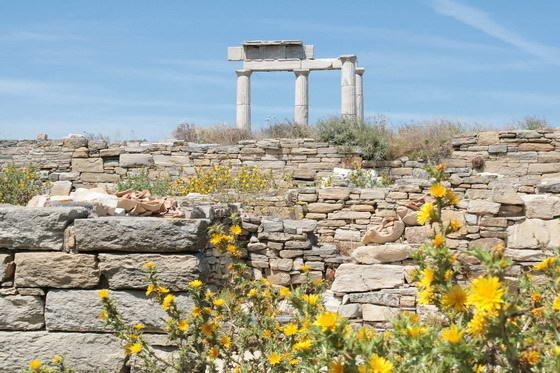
(36, 228)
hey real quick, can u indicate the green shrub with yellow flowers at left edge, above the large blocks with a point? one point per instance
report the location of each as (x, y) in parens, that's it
(18, 186)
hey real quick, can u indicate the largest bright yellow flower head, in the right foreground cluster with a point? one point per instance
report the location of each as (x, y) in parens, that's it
(486, 294)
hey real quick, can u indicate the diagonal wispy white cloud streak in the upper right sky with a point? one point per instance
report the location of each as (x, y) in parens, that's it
(483, 22)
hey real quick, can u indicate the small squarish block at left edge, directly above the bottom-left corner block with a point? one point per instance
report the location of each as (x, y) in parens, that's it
(21, 312)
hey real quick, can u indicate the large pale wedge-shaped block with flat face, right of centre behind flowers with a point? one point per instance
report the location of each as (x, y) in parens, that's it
(360, 278)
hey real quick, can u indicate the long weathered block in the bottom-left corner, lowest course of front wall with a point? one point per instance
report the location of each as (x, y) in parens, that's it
(83, 352)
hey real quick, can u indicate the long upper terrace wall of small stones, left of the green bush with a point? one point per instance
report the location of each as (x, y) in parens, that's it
(94, 162)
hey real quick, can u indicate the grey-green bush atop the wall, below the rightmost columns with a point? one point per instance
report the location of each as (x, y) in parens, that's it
(370, 137)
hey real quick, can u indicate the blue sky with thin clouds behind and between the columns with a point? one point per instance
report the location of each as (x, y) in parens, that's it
(137, 68)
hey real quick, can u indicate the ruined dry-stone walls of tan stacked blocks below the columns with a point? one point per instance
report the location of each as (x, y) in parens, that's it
(52, 259)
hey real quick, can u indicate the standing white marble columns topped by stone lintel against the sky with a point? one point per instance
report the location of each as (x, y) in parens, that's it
(293, 55)
